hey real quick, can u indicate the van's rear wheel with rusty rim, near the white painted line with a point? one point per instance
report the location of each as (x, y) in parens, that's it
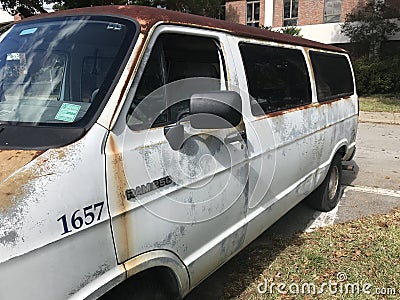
(327, 195)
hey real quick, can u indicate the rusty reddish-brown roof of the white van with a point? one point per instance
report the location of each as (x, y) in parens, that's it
(149, 16)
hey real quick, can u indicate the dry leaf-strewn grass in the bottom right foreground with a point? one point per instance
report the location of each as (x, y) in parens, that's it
(354, 260)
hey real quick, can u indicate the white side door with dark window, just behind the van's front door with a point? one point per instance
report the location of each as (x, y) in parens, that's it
(284, 139)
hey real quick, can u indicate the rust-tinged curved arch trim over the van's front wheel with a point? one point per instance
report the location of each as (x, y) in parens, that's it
(160, 258)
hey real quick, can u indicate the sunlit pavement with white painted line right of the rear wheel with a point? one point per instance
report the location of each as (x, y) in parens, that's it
(373, 184)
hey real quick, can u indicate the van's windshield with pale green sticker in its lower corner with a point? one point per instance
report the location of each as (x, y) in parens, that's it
(58, 71)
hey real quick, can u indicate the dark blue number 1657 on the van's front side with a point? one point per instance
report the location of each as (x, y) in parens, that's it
(80, 217)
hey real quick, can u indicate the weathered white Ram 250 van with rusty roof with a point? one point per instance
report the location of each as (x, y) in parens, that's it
(142, 148)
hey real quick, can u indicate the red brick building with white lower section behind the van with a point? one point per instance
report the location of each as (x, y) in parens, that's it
(318, 19)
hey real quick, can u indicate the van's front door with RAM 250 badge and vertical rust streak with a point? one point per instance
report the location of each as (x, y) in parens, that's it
(190, 201)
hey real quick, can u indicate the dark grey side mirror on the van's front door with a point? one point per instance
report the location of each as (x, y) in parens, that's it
(215, 110)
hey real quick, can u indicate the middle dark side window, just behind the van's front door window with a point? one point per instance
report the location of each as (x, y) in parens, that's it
(277, 78)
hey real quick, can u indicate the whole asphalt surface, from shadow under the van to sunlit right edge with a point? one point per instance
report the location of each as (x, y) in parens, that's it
(372, 187)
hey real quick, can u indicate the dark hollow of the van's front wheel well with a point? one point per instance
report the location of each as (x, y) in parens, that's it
(161, 276)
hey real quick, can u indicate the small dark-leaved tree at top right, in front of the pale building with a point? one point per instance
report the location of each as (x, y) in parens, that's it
(371, 23)
